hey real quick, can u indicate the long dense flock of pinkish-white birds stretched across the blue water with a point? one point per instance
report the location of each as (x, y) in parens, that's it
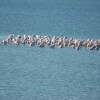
(52, 42)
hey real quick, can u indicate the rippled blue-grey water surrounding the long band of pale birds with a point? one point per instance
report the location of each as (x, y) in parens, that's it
(33, 73)
